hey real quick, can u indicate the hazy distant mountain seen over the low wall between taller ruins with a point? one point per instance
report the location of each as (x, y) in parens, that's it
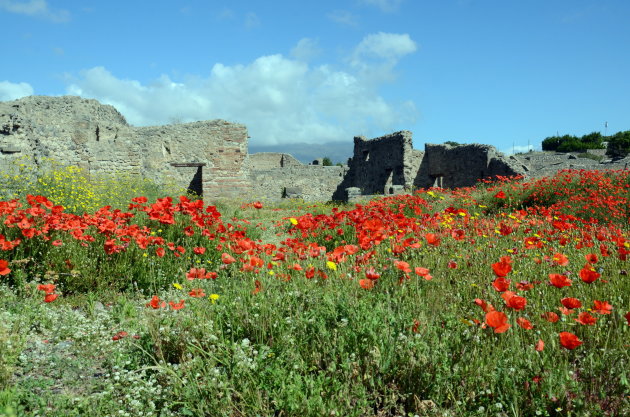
(307, 152)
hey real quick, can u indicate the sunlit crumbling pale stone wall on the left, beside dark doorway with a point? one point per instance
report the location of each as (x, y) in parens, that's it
(96, 137)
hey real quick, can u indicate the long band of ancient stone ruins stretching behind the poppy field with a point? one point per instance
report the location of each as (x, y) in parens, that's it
(210, 157)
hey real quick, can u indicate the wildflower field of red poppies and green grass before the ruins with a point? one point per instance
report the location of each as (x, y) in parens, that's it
(511, 298)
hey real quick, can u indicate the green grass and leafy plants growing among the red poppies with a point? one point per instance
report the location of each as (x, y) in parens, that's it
(314, 347)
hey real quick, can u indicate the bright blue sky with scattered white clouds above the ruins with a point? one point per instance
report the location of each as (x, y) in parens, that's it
(502, 72)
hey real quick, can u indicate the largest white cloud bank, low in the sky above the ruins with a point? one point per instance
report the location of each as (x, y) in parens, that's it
(279, 99)
